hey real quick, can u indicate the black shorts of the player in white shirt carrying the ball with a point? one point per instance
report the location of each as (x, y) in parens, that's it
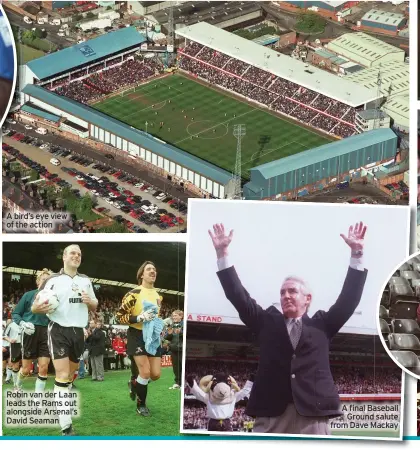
(65, 342)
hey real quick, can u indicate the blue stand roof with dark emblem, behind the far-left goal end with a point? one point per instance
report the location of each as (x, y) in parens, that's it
(86, 52)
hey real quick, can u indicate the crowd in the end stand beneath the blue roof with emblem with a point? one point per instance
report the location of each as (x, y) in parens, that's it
(85, 88)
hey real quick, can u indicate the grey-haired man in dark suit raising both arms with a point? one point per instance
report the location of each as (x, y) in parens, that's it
(294, 391)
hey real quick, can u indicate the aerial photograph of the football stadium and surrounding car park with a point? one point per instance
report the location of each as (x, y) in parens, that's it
(125, 110)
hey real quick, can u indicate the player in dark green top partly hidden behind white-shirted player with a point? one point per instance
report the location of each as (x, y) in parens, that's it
(34, 335)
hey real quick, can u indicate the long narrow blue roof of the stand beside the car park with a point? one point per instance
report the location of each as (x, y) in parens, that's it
(132, 135)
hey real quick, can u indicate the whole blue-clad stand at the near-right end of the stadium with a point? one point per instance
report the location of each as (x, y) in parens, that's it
(315, 169)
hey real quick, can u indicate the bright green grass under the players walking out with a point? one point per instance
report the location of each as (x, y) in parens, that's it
(106, 409)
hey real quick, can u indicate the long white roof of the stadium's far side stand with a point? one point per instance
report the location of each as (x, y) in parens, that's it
(278, 64)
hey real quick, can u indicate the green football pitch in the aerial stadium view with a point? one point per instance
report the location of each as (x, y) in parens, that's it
(200, 120)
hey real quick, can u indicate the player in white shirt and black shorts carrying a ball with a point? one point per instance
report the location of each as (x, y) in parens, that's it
(66, 339)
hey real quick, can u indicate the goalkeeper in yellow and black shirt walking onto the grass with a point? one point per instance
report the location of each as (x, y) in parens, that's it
(132, 313)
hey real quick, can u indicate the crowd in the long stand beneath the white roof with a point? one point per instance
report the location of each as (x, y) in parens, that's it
(286, 97)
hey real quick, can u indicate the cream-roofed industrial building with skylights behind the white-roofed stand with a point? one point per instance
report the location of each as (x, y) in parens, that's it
(365, 50)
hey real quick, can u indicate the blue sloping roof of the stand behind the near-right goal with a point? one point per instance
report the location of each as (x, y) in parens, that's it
(320, 154)
